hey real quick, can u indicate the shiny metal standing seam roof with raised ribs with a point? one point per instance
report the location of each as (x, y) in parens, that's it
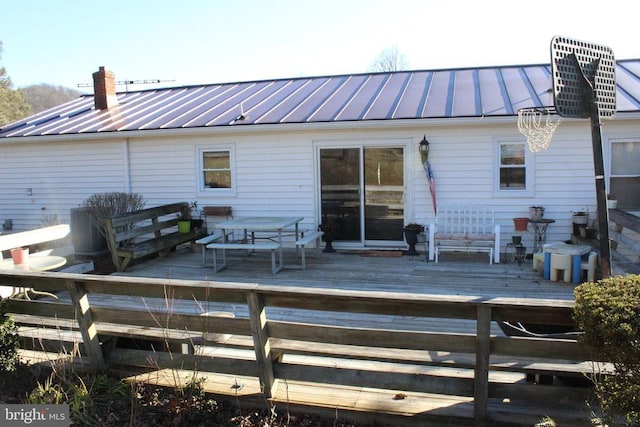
(422, 94)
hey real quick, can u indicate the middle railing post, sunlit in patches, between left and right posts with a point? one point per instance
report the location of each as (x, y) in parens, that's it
(258, 315)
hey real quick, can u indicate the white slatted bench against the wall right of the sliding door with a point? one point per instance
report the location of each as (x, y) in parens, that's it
(465, 228)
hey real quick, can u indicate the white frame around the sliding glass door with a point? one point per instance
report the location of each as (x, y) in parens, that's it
(361, 143)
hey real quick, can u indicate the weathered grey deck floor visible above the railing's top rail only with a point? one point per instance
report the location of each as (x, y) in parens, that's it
(455, 274)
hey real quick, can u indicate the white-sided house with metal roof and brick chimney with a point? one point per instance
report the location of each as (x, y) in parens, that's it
(324, 147)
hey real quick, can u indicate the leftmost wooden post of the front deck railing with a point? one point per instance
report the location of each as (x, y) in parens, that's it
(80, 299)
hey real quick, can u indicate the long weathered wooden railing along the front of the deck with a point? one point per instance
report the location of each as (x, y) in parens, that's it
(482, 372)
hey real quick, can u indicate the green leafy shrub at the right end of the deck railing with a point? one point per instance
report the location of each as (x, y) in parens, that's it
(608, 313)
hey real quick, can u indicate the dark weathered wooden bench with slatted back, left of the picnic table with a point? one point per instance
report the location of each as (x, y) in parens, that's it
(138, 234)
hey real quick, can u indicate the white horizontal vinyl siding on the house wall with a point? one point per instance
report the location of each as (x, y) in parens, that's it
(275, 170)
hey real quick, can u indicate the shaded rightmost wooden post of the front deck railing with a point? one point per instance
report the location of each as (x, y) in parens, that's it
(481, 373)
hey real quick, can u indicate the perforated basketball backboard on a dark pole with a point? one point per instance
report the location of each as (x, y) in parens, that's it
(571, 62)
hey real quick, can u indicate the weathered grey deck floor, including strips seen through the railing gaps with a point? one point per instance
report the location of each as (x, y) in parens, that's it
(455, 274)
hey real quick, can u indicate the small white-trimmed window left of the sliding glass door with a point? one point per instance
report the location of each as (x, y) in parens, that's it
(216, 169)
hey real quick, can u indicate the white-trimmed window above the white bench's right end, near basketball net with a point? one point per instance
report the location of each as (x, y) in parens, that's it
(514, 168)
